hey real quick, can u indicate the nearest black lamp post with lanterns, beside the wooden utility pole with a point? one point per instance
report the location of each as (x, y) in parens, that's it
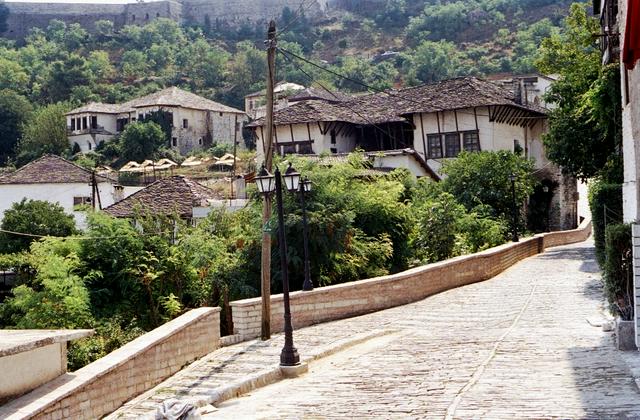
(289, 355)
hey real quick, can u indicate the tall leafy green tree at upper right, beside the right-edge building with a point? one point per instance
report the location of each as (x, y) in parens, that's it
(585, 129)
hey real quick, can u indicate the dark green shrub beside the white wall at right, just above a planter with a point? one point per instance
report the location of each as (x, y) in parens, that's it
(618, 270)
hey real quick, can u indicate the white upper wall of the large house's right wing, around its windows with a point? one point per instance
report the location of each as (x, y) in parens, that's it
(493, 136)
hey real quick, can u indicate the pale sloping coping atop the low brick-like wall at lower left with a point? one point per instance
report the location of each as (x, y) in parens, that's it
(67, 384)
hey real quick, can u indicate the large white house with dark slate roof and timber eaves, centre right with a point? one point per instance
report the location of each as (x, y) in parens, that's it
(437, 121)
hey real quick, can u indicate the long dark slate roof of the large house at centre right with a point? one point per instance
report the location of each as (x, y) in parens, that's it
(393, 105)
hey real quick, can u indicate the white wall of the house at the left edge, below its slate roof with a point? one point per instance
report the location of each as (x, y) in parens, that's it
(63, 194)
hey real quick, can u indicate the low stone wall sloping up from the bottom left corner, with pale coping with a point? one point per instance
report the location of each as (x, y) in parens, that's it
(102, 386)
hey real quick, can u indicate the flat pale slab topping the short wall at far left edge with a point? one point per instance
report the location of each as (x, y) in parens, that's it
(19, 341)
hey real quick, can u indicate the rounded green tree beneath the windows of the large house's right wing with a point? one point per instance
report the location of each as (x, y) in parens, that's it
(482, 179)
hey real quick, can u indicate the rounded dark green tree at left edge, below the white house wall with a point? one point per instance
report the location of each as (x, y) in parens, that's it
(33, 217)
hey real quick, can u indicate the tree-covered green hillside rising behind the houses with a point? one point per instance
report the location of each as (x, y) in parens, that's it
(426, 40)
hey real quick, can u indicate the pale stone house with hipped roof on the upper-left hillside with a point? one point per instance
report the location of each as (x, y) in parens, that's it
(196, 122)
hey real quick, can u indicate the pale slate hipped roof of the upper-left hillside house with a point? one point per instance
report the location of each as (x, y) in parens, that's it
(171, 96)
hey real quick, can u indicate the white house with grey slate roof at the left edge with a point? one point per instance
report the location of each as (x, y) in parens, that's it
(52, 178)
